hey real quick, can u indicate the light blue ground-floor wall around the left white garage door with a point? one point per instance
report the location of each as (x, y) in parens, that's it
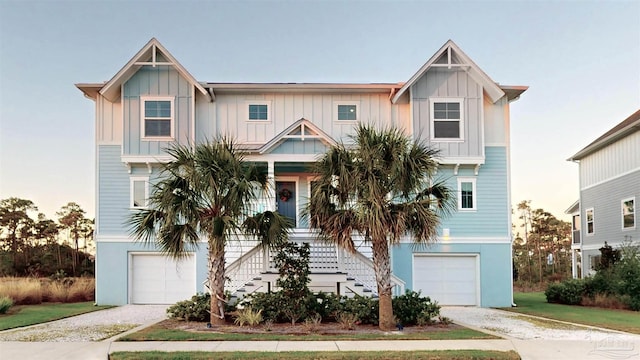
(112, 270)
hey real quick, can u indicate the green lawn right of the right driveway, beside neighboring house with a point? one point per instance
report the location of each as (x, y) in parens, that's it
(535, 303)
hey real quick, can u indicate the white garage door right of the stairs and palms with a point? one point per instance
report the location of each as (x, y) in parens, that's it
(450, 280)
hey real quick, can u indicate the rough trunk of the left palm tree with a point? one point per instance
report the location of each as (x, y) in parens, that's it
(216, 280)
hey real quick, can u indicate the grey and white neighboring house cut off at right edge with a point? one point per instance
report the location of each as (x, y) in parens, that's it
(609, 194)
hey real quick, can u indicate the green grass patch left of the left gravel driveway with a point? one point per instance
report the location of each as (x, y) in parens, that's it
(25, 315)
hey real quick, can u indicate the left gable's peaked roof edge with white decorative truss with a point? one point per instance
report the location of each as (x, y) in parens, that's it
(148, 55)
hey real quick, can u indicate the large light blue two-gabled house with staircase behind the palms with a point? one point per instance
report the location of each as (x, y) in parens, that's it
(450, 103)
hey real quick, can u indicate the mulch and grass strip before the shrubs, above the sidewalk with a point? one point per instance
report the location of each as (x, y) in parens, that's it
(179, 331)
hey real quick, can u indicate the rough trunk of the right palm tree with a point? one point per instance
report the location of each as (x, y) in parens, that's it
(382, 268)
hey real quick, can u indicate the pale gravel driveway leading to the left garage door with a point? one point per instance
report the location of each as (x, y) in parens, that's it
(94, 326)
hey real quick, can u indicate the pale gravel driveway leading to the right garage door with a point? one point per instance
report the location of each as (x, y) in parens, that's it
(527, 328)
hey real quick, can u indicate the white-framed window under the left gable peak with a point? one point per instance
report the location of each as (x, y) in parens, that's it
(157, 117)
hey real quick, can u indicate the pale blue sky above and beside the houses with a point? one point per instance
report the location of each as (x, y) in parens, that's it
(580, 59)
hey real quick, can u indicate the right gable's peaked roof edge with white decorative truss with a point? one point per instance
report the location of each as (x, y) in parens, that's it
(456, 58)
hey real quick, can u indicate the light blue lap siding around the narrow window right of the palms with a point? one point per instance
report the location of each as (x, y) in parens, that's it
(491, 219)
